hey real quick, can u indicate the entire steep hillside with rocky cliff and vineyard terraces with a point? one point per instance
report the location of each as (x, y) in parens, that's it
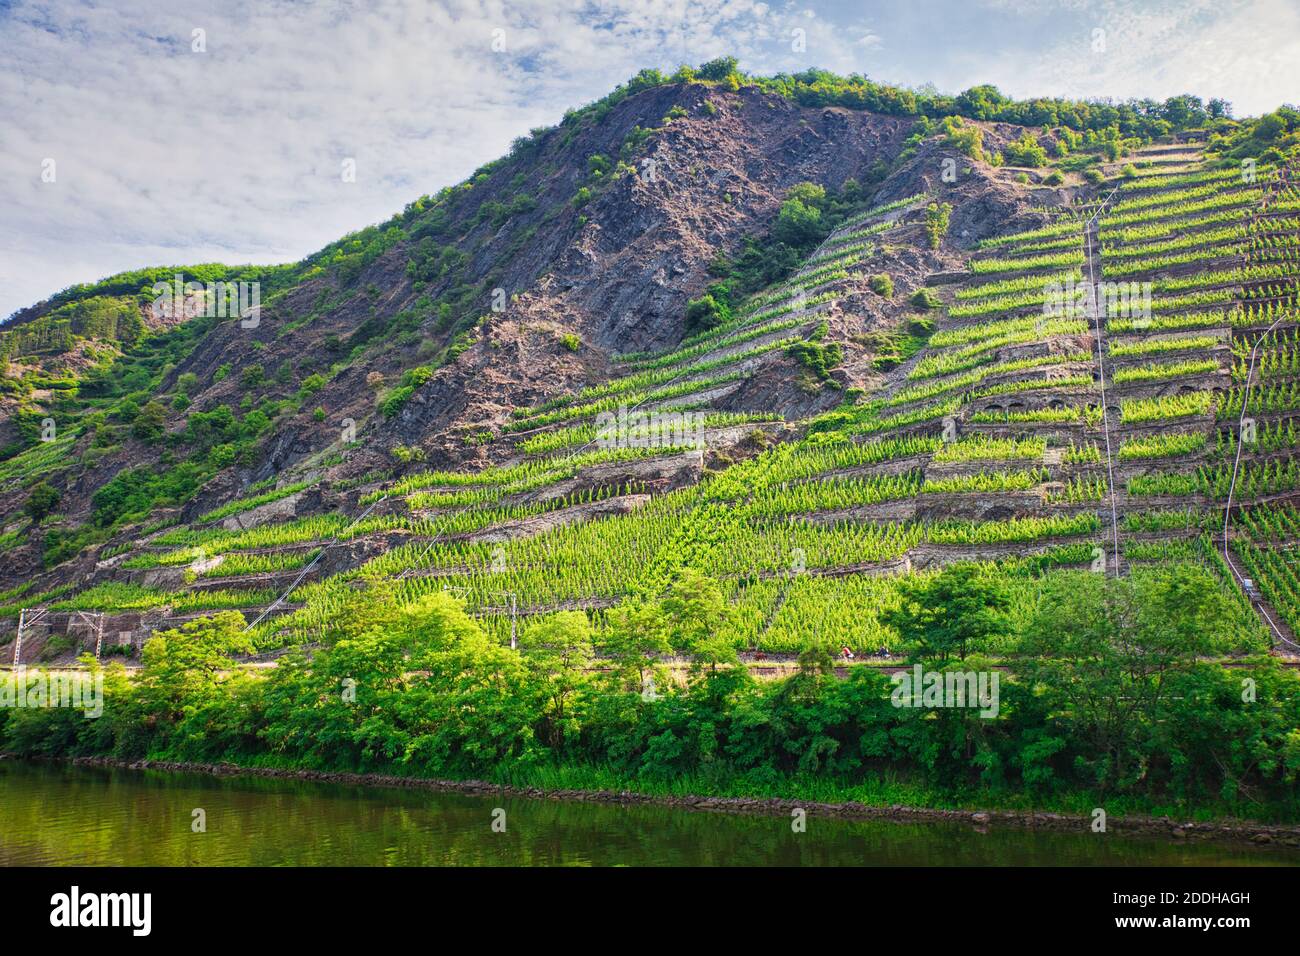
(856, 334)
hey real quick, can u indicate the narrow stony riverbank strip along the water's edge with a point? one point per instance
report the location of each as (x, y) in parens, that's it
(1236, 832)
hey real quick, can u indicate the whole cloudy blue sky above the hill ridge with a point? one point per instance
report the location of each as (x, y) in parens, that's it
(136, 133)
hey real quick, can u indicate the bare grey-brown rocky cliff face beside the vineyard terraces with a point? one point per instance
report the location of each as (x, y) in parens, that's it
(525, 284)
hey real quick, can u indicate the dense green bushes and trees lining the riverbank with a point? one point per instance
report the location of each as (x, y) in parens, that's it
(1108, 694)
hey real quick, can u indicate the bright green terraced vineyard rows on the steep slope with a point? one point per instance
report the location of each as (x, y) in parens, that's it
(1091, 393)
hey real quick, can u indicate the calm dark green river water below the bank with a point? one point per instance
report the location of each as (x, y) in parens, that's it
(57, 815)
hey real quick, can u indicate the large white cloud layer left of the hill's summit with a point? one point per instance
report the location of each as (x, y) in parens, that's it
(167, 155)
